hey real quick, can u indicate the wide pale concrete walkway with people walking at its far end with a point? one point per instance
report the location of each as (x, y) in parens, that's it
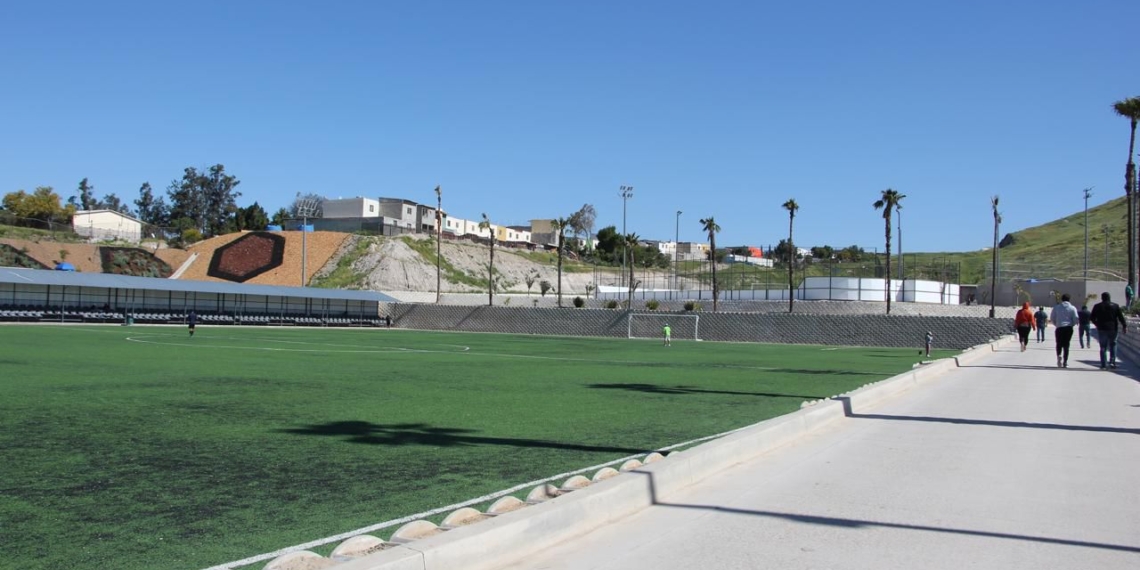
(1009, 463)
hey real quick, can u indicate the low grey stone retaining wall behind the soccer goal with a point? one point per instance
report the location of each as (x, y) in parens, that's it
(789, 329)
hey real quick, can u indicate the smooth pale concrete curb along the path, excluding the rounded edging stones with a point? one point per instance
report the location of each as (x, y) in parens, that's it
(516, 535)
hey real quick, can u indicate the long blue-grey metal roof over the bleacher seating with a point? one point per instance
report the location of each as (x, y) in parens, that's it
(21, 276)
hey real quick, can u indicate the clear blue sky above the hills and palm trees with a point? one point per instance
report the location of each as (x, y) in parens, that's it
(530, 110)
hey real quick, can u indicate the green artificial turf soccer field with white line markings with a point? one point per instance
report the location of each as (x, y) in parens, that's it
(143, 449)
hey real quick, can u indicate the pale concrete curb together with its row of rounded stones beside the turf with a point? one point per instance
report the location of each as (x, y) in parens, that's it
(512, 530)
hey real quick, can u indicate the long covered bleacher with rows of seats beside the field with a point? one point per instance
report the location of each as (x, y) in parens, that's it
(39, 296)
